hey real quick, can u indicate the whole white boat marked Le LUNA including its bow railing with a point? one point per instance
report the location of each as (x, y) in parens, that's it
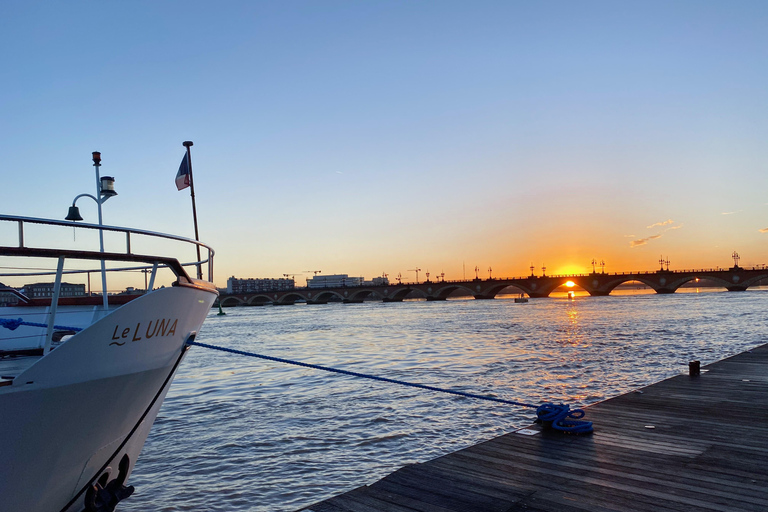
(82, 382)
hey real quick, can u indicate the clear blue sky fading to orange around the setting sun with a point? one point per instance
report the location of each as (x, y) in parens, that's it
(364, 137)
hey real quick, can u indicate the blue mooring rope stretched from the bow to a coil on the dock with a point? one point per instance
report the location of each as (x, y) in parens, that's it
(557, 416)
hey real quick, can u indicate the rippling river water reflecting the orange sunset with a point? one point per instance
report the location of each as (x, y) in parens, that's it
(243, 434)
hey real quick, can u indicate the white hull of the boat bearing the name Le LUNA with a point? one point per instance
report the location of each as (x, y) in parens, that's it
(79, 409)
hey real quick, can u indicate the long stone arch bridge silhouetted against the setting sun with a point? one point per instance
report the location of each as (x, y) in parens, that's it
(596, 284)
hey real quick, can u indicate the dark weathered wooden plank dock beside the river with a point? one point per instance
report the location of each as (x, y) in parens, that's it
(686, 443)
